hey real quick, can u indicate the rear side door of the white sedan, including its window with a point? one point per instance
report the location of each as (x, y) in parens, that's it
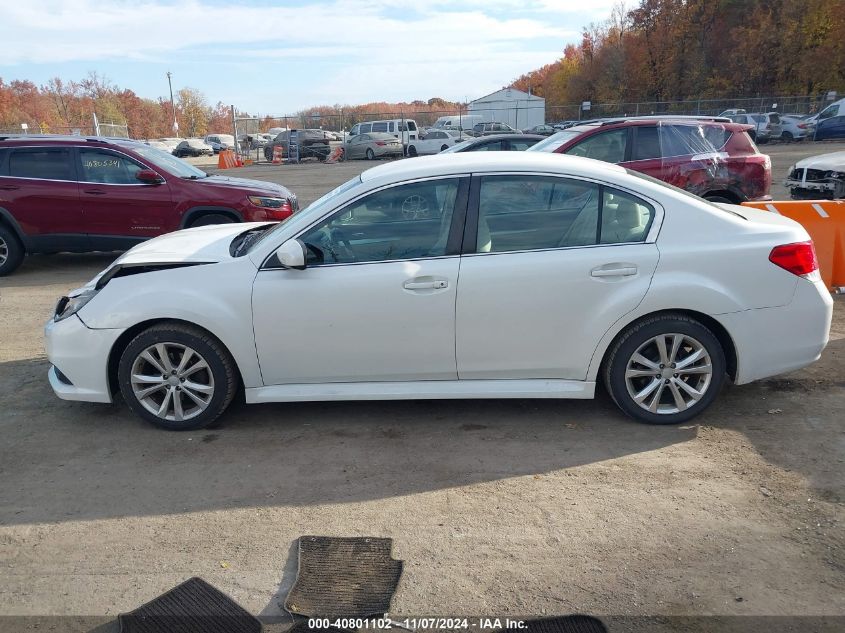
(548, 276)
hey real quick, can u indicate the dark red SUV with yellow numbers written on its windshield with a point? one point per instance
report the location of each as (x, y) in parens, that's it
(92, 194)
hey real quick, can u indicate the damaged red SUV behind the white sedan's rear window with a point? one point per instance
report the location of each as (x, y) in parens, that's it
(712, 158)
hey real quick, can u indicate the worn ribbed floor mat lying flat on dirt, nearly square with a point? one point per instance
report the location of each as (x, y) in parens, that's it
(344, 577)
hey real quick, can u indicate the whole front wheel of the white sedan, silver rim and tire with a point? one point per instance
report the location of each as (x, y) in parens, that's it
(176, 376)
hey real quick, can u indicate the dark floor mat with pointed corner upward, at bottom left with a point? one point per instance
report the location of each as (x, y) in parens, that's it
(192, 607)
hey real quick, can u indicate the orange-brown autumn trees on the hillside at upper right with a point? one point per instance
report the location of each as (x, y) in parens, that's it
(675, 50)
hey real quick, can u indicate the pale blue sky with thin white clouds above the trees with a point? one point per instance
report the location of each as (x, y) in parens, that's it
(277, 57)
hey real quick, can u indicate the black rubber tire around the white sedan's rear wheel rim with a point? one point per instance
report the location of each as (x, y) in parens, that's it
(641, 333)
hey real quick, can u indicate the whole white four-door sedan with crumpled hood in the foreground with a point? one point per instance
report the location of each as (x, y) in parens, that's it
(497, 275)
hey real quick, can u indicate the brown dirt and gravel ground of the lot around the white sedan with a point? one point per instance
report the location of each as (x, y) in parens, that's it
(499, 507)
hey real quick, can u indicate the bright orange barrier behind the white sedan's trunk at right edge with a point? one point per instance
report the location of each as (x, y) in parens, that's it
(825, 222)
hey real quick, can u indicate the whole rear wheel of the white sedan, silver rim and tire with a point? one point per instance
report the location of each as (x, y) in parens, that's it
(665, 370)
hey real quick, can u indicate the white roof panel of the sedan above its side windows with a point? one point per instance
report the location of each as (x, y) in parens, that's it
(471, 162)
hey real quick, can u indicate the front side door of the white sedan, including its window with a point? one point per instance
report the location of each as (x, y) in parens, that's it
(377, 299)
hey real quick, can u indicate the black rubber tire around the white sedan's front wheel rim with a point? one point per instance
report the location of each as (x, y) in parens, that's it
(220, 365)
